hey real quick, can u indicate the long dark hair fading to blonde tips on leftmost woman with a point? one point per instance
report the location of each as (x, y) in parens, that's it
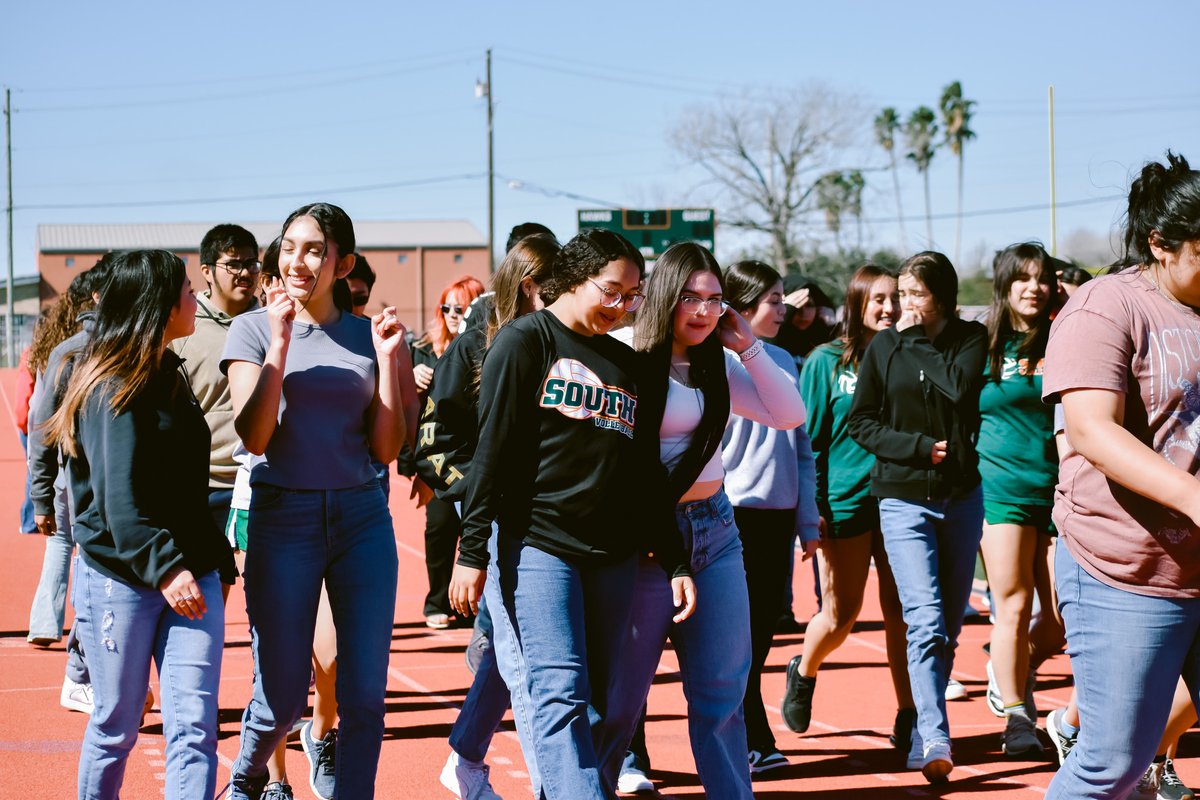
(127, 345)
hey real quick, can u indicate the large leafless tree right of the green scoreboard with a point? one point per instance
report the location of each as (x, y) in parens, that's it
(766, 155)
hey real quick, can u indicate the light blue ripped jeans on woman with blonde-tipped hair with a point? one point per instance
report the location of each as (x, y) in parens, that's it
(124, 627)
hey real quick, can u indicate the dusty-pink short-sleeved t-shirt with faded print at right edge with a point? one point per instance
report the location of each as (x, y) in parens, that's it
(1121, 334)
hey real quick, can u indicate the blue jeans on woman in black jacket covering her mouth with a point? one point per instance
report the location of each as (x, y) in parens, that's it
(932, 546)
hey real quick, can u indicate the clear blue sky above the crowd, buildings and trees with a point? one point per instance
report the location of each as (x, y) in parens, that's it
(141, 112)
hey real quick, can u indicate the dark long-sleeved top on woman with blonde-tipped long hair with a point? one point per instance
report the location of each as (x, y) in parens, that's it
(140, 484)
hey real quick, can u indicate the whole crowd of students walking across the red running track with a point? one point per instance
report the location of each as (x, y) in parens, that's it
(620, 460)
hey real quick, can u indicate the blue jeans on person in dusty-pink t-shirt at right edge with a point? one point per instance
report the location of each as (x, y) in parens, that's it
(1127, 653)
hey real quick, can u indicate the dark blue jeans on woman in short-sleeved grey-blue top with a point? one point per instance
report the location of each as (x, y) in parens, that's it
(297, 540)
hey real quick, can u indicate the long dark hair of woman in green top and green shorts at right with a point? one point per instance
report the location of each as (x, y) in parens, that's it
(1009, 266)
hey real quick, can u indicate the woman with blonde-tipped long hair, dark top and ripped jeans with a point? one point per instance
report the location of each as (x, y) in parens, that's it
(149, 579)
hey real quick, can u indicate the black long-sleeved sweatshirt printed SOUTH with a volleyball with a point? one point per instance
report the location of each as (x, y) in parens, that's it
(557, 462)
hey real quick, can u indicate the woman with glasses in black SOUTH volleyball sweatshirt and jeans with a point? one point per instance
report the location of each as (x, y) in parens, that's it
(559, 459)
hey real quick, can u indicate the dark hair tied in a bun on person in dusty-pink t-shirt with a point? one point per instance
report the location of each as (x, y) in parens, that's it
(1165, 204)
